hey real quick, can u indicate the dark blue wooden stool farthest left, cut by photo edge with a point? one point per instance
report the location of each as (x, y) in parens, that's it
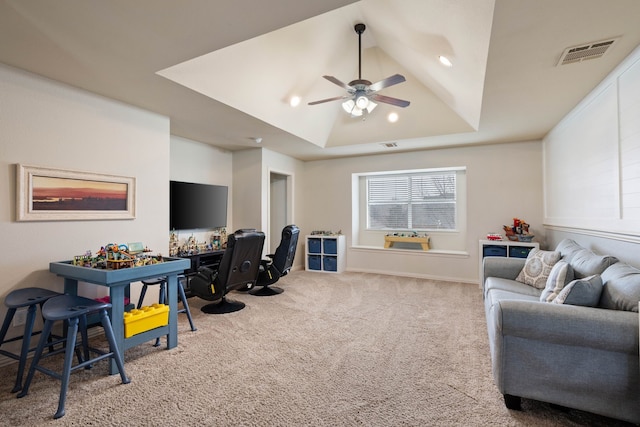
(20, 298)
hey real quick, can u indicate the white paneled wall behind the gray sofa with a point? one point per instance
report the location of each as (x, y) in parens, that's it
(592, 168)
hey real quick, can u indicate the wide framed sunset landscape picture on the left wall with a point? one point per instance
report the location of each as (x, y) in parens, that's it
(46, 194)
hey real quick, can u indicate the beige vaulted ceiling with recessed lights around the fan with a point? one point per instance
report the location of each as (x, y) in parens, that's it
(224, 72)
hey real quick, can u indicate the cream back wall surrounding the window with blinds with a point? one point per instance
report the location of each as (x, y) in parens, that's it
(503, 181)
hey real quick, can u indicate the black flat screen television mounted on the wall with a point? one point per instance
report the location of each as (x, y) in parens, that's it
(195, 206)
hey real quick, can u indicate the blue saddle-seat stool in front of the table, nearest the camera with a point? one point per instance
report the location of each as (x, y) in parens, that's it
(73, 310)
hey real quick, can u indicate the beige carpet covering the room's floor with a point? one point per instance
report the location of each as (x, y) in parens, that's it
(332, 350)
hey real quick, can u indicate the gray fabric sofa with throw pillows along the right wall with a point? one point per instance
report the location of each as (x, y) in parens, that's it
(580, 354)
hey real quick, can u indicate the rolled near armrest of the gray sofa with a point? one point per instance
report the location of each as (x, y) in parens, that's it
(610, 330)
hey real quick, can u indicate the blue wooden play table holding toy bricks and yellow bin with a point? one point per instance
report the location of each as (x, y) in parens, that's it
(118, 282)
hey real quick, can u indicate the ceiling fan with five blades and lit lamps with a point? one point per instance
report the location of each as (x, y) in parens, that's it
(362, 93)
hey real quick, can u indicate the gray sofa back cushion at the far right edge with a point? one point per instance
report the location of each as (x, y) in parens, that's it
(621, 288)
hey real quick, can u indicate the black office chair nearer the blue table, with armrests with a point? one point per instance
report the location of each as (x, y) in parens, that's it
(238, 269)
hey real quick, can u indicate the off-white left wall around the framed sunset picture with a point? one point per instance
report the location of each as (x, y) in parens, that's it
(47, 124)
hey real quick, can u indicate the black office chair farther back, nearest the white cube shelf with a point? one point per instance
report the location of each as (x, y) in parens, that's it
(278, 264)
